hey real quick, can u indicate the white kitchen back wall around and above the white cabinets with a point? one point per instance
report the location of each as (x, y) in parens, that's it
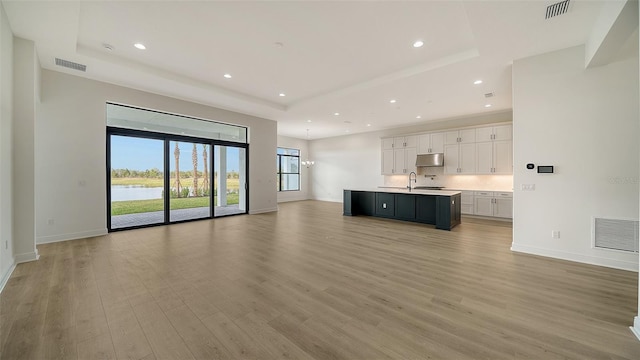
(353, 161)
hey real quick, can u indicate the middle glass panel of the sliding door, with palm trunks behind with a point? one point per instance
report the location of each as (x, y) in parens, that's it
(189, 181)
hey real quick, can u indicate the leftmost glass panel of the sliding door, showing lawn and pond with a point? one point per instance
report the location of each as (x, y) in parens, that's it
(136, 181)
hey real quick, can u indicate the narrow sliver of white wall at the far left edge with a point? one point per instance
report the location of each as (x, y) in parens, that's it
(6, 143)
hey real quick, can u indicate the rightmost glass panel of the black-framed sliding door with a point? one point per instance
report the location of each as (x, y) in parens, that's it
(230, 178)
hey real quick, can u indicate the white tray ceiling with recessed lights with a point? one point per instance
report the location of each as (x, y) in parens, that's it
(327, 57)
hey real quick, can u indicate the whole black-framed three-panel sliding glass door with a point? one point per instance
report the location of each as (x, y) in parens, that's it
(163, 178)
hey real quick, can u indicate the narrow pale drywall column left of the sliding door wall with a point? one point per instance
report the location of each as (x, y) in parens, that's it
(25, 74)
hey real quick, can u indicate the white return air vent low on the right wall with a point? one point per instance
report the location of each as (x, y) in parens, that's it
(615, 234)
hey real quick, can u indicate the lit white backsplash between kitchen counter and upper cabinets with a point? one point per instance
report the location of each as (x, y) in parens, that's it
(458, 182)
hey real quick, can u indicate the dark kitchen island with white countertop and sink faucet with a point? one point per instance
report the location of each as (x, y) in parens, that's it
(436, 207)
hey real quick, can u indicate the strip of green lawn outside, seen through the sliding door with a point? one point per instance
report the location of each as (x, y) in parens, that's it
(141, 206)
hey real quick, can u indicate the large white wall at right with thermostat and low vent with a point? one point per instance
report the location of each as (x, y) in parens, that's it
(585, 123)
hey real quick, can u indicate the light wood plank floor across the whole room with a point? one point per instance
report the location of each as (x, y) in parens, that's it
(308, 283)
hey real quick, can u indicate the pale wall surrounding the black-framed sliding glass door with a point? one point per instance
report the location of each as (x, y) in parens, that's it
(70, 152)
